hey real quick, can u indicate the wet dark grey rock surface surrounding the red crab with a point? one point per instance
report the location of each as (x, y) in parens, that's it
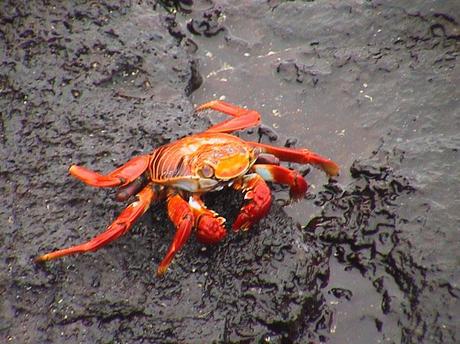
(369, 257)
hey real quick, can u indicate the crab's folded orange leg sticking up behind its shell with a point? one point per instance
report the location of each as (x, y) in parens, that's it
(243, 118)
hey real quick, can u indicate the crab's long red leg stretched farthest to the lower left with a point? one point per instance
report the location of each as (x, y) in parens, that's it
(119, 227)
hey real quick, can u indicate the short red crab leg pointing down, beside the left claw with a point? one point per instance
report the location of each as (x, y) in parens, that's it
(181, 215)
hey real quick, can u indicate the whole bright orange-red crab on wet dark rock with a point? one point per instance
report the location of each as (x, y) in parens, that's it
(182, 171)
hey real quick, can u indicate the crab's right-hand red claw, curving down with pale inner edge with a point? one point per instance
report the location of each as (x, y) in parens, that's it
(258, 196)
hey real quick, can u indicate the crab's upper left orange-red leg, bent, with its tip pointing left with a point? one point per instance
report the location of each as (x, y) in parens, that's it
(120, 177)
